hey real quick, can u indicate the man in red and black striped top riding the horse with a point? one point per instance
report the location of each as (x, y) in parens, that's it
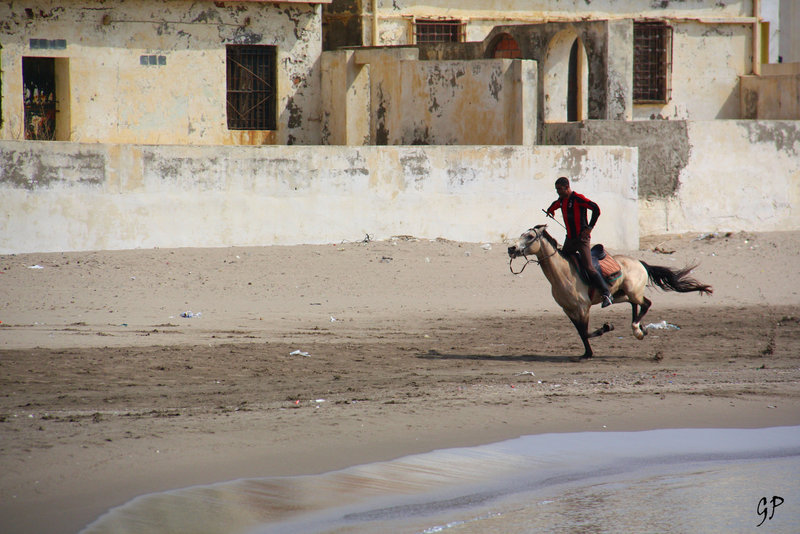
(579, 231)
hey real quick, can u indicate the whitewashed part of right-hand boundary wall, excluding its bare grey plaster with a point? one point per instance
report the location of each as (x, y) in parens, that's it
(740, 175)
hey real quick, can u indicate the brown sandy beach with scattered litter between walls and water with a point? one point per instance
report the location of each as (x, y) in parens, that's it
(129, 372)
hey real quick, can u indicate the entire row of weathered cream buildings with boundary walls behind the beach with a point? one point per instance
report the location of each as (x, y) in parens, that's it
(291, 121)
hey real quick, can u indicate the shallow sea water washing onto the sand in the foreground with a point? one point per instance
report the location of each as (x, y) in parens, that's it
(661, 481)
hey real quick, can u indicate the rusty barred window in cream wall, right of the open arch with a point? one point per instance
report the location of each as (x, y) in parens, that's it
(652, 62)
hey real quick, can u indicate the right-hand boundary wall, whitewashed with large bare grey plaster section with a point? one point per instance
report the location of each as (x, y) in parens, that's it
(703, 176)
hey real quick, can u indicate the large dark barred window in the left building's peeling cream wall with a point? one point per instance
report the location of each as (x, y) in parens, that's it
(251, 87)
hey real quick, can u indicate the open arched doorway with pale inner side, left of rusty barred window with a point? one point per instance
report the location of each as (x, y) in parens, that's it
(566, 78)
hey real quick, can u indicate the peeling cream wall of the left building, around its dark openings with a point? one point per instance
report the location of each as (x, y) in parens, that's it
(114, 98)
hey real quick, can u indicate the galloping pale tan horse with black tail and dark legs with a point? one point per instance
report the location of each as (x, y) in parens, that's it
(576, 297)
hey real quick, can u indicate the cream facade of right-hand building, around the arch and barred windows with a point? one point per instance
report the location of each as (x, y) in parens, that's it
(712, 47)
